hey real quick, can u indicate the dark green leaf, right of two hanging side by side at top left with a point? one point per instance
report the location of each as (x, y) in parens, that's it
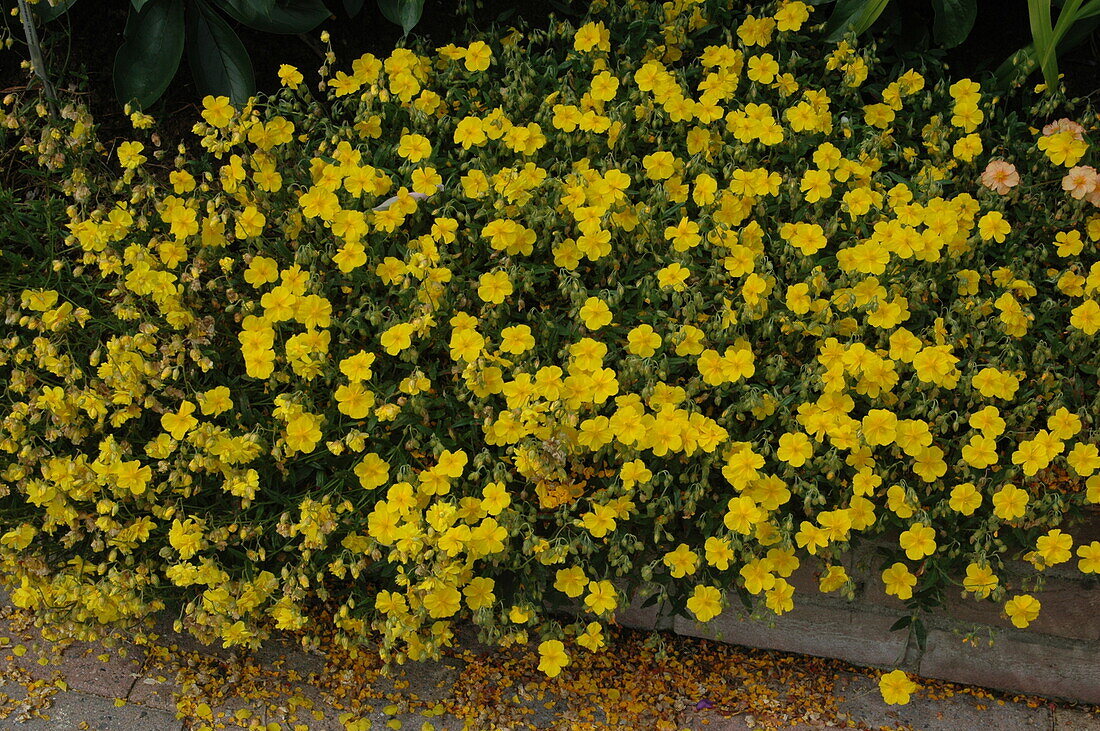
(218, 59)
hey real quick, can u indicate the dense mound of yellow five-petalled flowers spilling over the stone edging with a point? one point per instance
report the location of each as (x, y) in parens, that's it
(672, 298)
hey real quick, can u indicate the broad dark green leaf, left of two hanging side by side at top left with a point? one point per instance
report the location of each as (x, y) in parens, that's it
(150, 56)
